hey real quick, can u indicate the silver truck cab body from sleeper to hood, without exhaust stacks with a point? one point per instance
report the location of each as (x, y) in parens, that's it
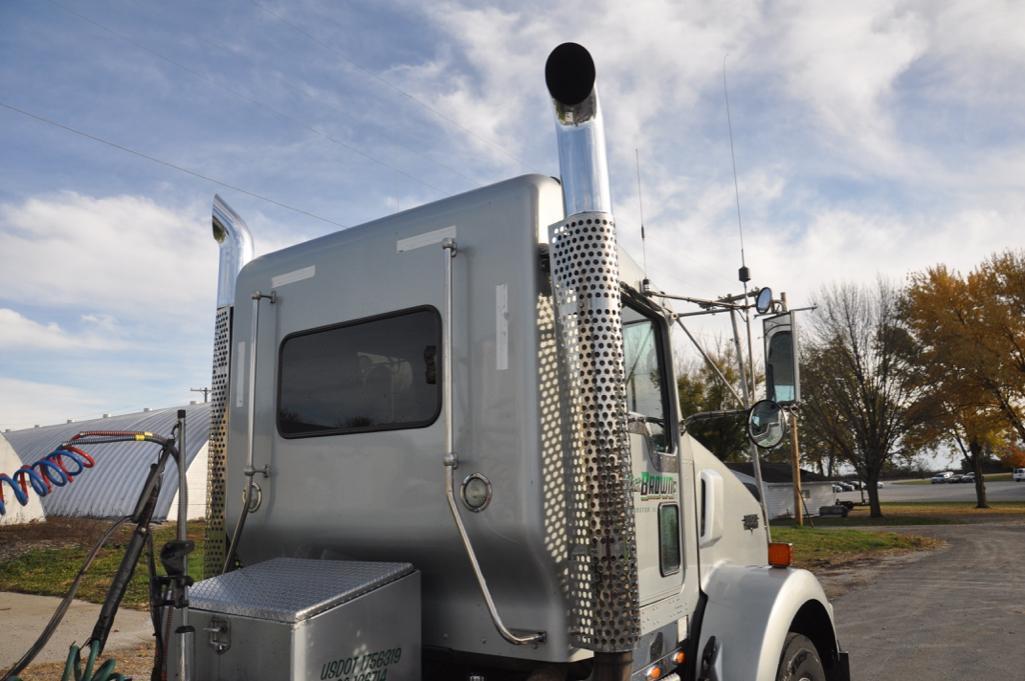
(347, 419)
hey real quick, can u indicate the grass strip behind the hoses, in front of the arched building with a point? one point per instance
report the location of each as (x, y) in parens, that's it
(50, 568)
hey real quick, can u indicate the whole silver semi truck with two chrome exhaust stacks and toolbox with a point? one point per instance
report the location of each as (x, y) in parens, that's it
(447, 445)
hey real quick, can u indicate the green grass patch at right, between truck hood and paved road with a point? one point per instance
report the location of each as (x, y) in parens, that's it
(831, 548)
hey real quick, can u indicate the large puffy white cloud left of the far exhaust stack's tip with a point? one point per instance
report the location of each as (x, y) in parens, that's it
(126, 256)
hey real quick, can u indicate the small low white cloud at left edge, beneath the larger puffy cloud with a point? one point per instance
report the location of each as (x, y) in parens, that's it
(18, 332)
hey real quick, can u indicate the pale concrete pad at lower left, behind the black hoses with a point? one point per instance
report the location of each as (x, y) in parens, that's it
(23, 619)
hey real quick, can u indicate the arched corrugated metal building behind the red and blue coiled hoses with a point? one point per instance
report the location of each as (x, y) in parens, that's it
(111, 489)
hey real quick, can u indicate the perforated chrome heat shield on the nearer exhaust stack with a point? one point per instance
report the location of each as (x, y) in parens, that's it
(603, 577)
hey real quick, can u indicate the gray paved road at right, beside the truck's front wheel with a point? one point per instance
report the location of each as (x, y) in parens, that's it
(956, 615)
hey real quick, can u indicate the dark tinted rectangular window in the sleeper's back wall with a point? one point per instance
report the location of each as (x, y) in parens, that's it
(378, 374)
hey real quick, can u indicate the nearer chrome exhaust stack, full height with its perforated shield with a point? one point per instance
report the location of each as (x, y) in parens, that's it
(603, 575)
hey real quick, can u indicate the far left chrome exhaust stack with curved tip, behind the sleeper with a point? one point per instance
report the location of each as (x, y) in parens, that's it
(236, 245)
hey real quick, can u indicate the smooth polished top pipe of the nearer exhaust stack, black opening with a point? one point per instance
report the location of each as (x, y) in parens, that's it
(569, 73)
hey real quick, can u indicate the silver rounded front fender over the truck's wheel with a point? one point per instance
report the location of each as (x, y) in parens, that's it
(751, 610)
